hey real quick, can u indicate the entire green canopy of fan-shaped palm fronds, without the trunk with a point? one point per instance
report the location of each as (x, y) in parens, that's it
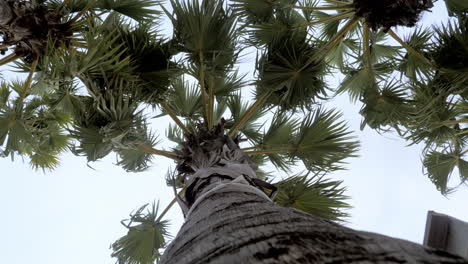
(98, 70)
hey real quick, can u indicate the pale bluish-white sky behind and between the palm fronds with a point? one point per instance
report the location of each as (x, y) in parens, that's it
(72, 214)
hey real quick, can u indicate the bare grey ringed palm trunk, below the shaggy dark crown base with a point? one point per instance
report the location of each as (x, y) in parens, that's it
(234, 222)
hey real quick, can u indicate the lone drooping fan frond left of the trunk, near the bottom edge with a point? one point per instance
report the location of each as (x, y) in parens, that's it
(146, 235)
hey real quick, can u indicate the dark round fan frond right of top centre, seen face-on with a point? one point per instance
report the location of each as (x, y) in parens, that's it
(281, 73)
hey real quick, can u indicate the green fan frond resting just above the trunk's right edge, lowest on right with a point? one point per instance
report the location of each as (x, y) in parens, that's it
(314, 195)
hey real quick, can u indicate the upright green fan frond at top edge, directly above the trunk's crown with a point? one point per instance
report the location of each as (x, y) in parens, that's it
(207, 32)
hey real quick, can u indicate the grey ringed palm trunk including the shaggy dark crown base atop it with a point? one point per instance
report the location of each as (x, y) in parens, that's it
(231, 219)
